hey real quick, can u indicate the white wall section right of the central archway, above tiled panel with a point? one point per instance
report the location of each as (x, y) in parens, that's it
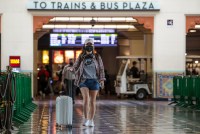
(169, 43)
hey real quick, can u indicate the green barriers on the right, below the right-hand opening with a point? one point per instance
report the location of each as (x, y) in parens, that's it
(187, 91)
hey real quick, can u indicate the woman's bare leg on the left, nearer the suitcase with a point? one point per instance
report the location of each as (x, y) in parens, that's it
(86, 99)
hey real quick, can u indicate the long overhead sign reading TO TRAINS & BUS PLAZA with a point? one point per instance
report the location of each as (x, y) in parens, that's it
(114, 6)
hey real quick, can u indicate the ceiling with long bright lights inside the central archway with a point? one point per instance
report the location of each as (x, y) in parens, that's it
(136, 32)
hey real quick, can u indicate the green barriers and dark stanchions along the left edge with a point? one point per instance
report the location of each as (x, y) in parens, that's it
(15, 98)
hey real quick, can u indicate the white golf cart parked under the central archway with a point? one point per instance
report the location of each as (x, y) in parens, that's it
(126, 85)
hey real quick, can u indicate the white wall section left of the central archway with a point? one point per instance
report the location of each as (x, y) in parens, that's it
(17, 34)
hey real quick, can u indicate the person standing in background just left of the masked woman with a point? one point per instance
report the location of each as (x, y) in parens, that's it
(68, 78)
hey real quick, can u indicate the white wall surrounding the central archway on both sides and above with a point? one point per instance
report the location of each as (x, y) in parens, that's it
(168, 43)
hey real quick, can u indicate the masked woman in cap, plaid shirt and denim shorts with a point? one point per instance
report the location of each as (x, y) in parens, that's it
(90, 77)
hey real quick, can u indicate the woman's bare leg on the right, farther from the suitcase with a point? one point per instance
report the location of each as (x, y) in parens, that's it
(93, 95)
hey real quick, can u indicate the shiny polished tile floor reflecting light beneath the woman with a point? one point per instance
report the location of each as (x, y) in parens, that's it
(116, 116)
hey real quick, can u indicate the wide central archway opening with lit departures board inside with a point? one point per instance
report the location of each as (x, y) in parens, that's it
(58, 39)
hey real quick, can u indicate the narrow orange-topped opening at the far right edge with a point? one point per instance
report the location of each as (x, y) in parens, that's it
(192, 45)
